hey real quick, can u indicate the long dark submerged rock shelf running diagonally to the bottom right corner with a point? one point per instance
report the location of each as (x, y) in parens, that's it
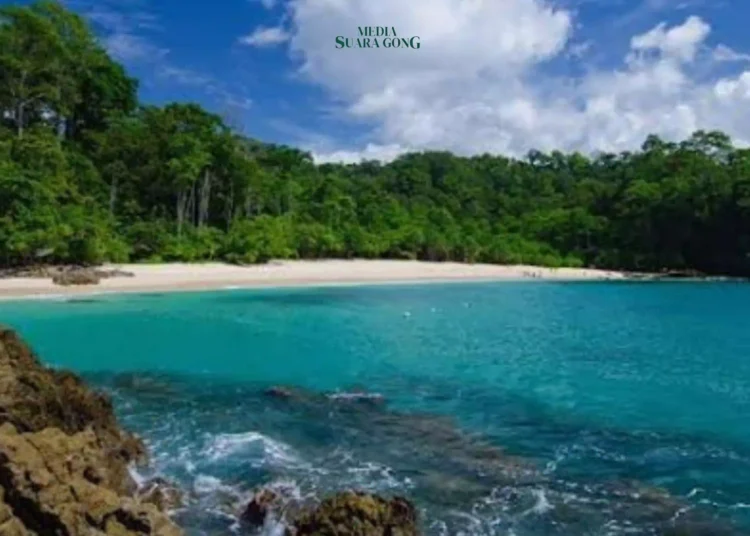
(450, 468)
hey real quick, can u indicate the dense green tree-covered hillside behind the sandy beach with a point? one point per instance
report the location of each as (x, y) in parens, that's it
(89, 174)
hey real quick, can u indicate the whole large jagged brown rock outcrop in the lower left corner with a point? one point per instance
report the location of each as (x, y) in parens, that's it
(63, 457)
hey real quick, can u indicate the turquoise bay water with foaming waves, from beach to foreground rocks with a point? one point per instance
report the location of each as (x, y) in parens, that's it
(528, 408)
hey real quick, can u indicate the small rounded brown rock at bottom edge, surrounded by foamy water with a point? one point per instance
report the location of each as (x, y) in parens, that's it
(359, 514)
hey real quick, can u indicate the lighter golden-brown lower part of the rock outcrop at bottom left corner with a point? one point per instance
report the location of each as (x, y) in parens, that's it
(47, 481)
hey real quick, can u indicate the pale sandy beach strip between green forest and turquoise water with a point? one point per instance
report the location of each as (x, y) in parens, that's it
(208, 276)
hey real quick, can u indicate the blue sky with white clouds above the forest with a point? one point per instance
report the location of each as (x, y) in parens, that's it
(490, 76)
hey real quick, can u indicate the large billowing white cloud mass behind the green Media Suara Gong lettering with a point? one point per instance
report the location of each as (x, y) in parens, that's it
(479, 84)
